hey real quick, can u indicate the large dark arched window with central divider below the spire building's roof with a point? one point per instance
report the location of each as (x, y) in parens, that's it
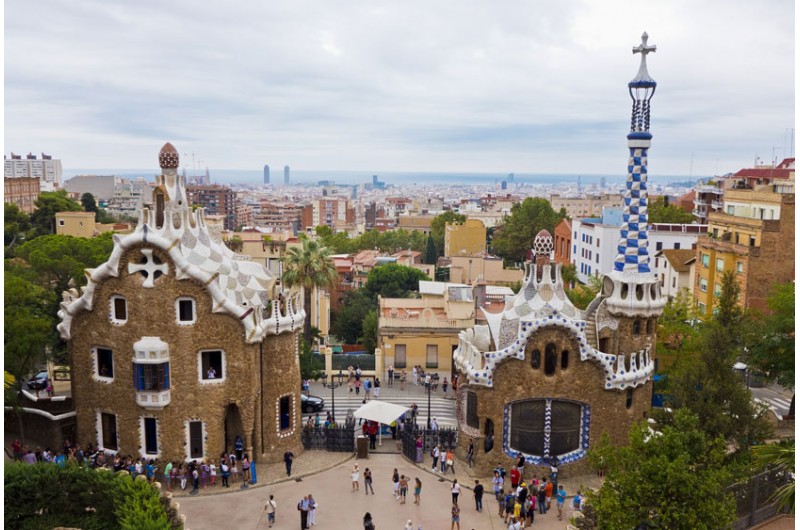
(527, 426)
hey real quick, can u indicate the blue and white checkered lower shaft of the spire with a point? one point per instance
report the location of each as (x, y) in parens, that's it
(632, 252)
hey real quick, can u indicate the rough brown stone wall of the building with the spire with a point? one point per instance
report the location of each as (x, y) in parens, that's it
(582, 381)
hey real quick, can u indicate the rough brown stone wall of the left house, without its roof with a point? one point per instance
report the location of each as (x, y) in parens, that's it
(151, 312)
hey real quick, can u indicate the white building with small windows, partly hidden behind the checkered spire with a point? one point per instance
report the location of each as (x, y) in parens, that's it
(595, 240)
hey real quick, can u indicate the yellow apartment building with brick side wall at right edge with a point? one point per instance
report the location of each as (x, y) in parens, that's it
(754, 238)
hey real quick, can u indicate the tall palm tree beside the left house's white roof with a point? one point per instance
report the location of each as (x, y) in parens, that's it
(309, 266)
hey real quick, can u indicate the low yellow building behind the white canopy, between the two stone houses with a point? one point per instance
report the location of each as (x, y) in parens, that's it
(424, 331)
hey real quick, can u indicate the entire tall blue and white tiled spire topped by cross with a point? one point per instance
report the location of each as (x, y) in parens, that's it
(632, 252)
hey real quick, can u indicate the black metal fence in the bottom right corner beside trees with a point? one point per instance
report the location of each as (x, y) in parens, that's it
(754, 498)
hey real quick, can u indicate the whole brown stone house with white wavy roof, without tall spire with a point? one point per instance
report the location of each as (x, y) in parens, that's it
(178, 345)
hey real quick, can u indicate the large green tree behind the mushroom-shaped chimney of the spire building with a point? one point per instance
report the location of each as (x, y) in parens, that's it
(515, 237)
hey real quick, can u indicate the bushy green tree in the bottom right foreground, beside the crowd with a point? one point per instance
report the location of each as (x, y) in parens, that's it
(672, 479)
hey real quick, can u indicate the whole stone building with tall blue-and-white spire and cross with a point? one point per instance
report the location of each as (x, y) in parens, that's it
(545, 379)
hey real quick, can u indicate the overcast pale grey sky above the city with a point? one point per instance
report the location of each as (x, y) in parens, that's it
(533, 86)
